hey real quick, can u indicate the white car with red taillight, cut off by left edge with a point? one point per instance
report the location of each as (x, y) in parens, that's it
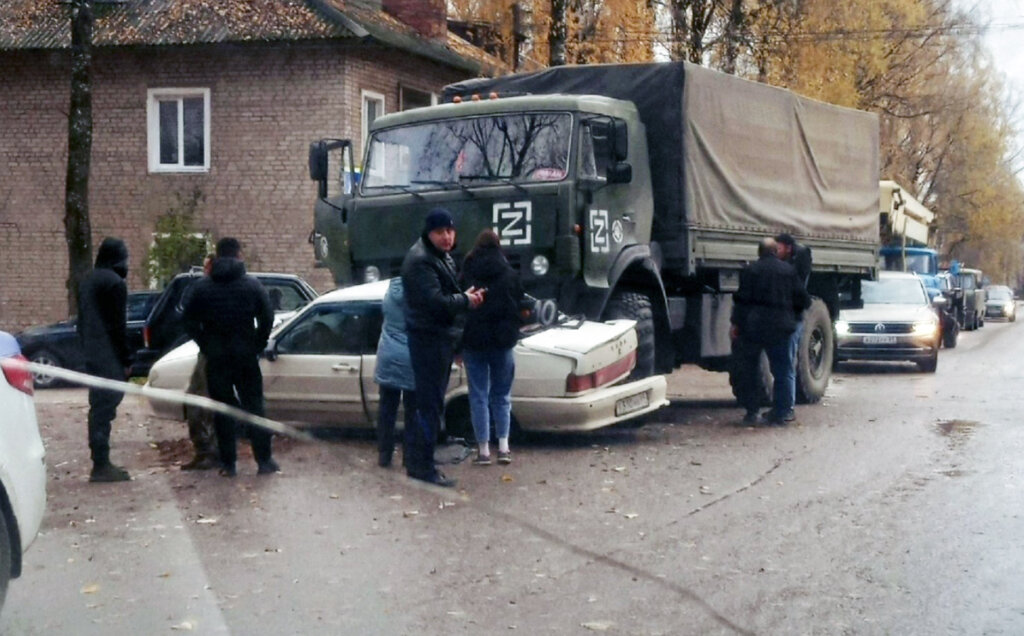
(23, 465)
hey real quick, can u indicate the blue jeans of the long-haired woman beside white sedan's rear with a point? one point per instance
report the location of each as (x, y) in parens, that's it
(490, 374)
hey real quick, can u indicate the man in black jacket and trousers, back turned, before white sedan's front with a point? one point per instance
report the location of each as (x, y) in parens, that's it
(230, 317)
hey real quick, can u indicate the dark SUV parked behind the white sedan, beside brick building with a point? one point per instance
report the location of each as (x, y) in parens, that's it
(164, 329)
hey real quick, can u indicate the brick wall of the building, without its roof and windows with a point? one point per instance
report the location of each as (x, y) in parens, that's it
(268, 104)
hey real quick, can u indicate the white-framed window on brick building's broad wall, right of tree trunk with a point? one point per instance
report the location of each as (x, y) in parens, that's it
(180, 130)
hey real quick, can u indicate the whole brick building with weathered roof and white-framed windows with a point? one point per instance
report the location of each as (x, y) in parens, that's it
(215, 99)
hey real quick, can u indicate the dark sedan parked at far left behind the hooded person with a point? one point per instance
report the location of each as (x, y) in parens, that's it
(58, 345)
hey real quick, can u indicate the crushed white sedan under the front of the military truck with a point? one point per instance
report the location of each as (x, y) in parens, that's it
(320, 370)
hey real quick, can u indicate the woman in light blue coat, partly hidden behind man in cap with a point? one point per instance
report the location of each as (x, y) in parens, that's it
(394, 373)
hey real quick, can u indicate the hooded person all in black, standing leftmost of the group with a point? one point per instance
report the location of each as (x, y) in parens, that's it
(102, 328)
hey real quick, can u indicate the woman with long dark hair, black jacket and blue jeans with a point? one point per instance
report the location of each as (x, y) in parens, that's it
(488, 342)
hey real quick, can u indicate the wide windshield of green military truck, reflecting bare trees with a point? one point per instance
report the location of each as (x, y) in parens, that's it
(459, 153)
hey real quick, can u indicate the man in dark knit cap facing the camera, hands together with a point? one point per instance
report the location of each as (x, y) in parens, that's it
(434, 301)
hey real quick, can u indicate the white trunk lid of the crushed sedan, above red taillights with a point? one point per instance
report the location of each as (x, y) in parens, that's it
(593, 346)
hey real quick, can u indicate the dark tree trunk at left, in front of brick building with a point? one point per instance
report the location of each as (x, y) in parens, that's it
(78, 233)
